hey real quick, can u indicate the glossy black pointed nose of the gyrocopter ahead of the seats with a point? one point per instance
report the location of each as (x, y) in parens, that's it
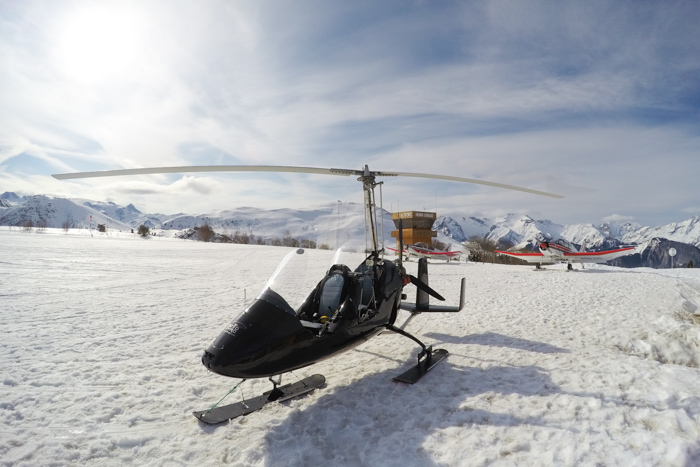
(261, 342)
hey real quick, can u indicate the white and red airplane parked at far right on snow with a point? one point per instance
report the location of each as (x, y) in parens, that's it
(560, 251)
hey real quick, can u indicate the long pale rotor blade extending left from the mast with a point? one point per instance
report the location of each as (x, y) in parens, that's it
(205, 168)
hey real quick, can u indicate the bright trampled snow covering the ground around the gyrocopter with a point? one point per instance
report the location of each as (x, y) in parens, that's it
(101, 338)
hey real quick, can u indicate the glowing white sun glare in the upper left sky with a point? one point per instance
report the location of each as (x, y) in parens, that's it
(99, 44)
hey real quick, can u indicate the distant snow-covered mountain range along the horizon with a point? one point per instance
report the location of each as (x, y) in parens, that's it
(342, 223)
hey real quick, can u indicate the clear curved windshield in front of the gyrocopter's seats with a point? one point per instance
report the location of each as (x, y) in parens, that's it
(301, 270)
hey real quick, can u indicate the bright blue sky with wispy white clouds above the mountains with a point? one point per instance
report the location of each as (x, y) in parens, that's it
(597, 101)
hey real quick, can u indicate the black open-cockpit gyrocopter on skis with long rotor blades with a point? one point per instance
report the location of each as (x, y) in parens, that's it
(347, 307)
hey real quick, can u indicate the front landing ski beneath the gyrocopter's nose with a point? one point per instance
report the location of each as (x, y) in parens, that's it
(282, 393)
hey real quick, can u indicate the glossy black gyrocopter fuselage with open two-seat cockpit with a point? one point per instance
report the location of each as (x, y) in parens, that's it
(345, 309)
